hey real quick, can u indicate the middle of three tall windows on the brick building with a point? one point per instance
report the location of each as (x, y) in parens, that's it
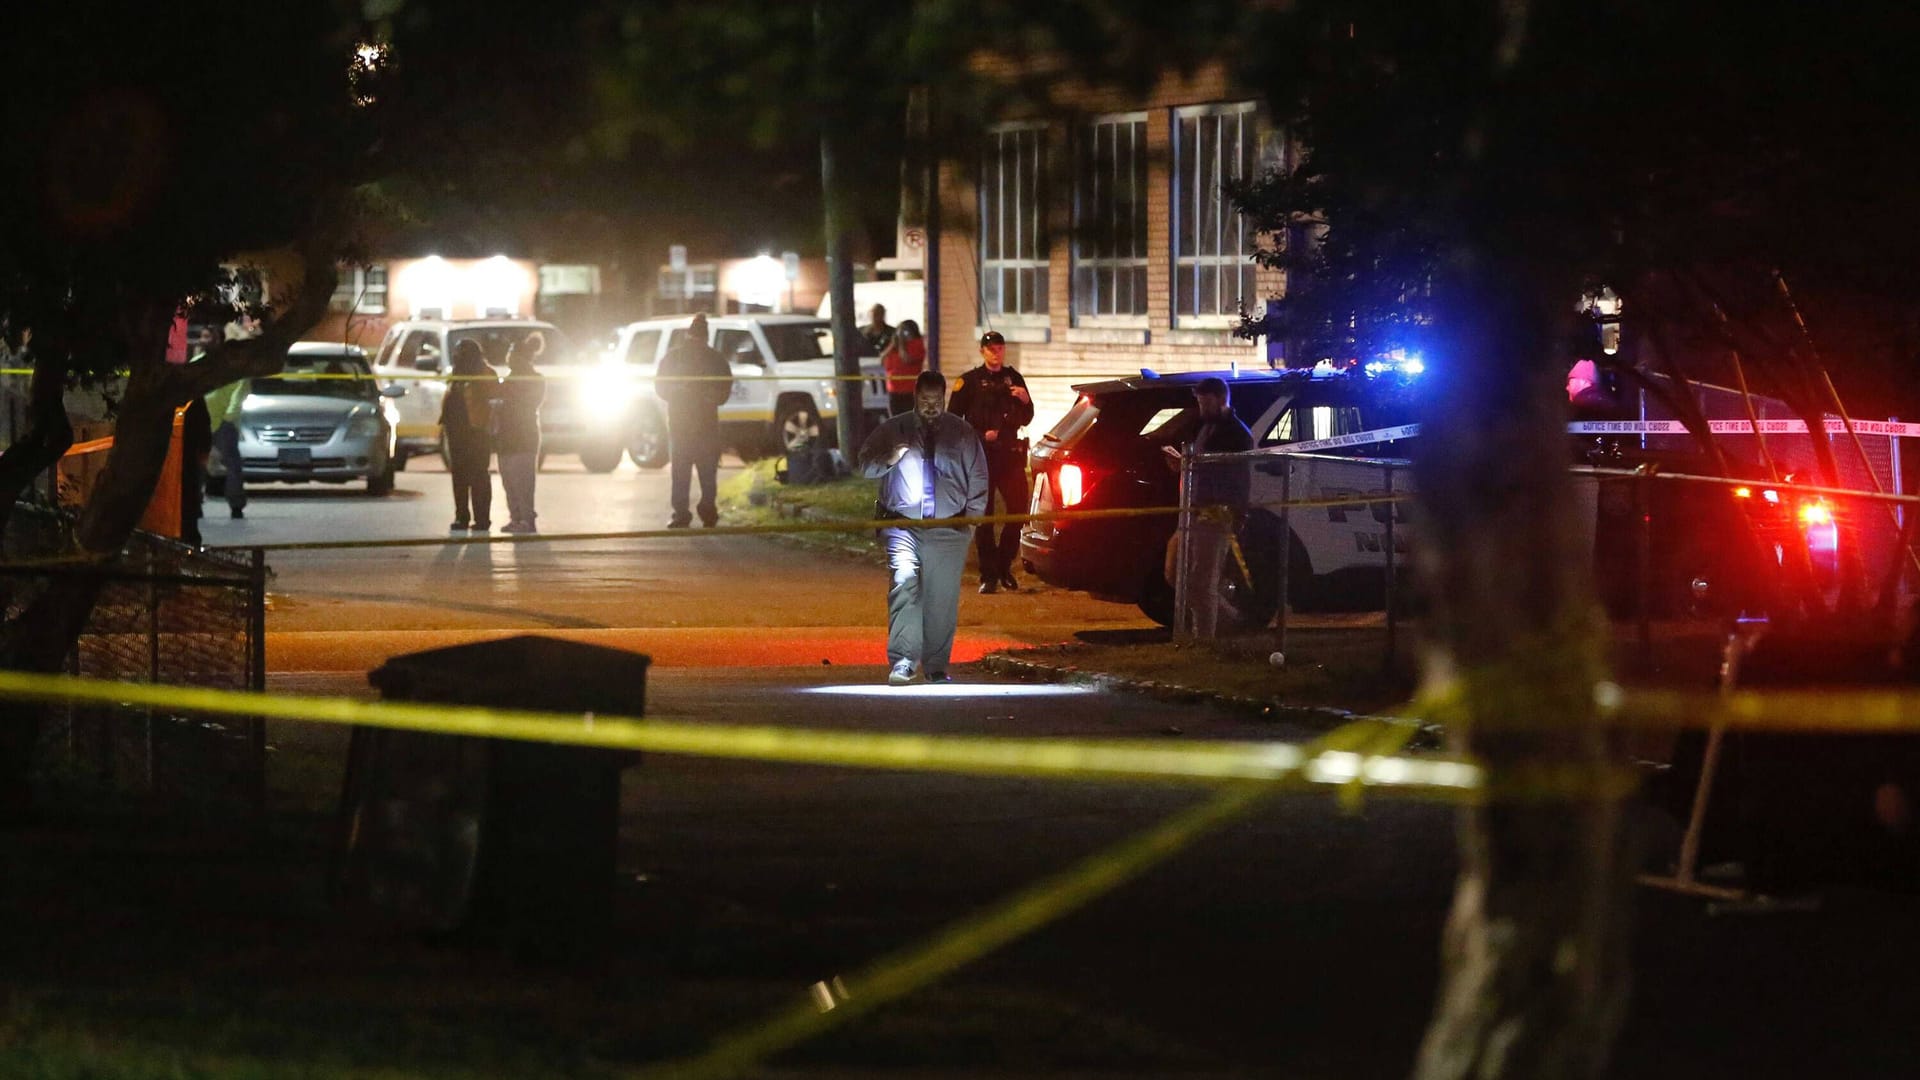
(1111, 220)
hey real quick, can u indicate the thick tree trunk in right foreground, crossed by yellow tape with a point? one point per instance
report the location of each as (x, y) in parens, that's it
(1535, 952)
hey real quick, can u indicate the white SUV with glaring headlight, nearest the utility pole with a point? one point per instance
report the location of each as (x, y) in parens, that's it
(784, 397)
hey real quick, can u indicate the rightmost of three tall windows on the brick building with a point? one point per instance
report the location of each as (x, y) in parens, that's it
(1212, 245)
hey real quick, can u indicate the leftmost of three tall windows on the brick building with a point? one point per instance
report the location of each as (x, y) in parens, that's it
(1013, 237)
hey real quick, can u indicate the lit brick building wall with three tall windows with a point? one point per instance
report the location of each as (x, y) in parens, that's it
(1103, 243)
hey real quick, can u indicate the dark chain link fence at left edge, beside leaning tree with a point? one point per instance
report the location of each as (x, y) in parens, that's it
(164, 614)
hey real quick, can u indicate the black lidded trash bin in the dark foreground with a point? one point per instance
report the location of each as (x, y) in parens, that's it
(483, 839)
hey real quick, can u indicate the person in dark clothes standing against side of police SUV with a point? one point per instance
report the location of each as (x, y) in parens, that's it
(1220, 495)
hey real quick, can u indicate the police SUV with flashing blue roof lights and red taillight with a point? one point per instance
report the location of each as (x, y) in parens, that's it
(1111, 453)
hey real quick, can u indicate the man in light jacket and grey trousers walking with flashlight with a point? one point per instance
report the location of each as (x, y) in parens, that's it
(930, 464)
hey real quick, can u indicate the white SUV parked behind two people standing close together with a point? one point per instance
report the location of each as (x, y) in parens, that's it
(425, 347)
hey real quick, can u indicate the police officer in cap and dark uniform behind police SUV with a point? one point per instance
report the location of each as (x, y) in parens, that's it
(996, 401)
